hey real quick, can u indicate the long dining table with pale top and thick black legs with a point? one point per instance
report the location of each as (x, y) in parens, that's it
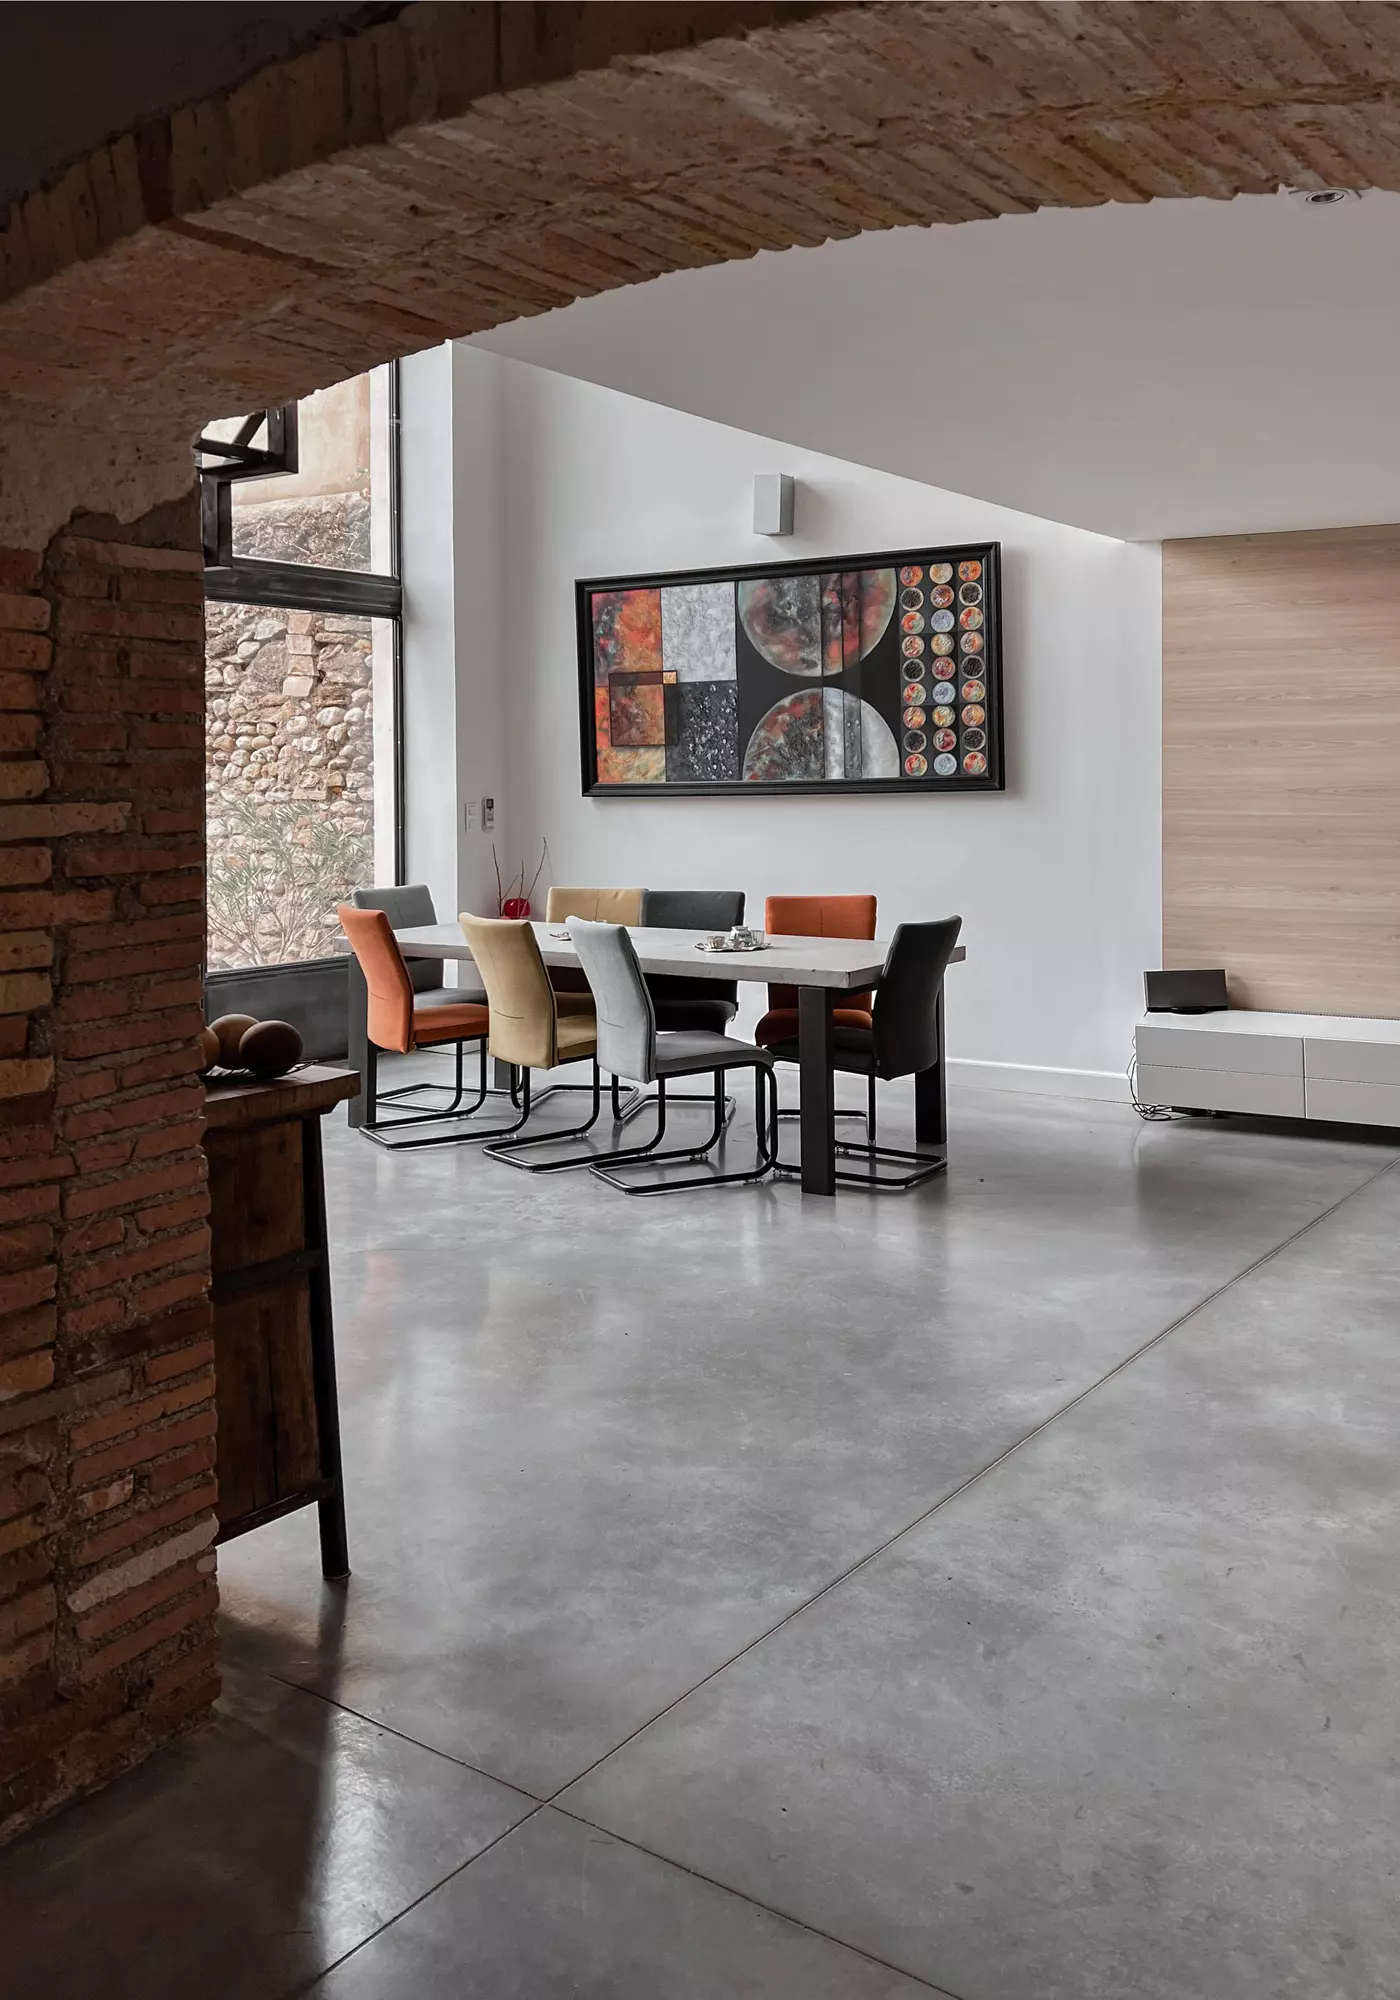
(821, 971)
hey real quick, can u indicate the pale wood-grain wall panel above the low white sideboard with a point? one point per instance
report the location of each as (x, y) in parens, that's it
(1281, 767)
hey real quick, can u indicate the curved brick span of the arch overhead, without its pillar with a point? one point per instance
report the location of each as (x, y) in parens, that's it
(457, 167)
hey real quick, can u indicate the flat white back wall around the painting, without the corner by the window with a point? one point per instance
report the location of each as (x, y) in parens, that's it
(1057, 879)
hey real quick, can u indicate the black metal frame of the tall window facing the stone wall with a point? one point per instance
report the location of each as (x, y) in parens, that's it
(231, 579)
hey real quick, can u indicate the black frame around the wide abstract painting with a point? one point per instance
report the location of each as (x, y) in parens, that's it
(885, 655)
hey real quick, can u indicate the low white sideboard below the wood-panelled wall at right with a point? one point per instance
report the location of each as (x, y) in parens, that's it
(1273, 1065)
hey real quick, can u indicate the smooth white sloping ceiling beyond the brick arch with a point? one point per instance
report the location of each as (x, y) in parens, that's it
(1163, 371)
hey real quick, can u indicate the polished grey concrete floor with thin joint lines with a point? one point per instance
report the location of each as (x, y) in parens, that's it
(987, 1593)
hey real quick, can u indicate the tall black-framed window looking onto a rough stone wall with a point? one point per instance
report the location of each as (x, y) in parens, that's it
(301, 513)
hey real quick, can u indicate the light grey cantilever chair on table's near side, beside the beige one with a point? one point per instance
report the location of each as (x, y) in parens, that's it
(631, 1047)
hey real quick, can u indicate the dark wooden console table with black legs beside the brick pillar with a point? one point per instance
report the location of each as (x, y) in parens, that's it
(275, 1359)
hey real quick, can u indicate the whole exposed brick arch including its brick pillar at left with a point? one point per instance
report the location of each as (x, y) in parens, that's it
(435, 175)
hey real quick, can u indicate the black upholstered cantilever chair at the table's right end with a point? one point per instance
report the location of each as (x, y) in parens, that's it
(901, 1041)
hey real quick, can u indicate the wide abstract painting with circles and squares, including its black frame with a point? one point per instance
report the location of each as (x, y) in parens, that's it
(847, 675)
